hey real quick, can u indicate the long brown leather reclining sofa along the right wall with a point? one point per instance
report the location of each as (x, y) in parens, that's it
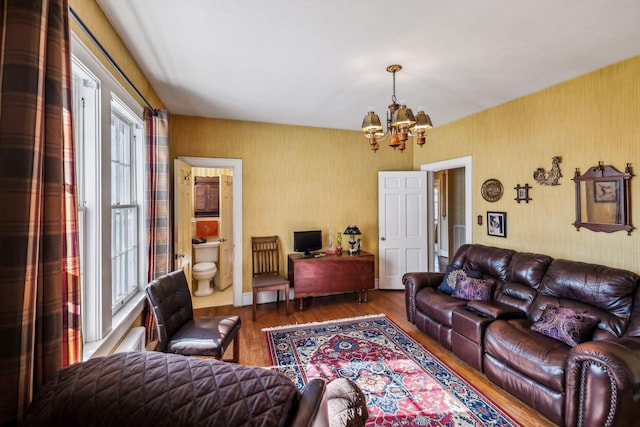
(584, 371)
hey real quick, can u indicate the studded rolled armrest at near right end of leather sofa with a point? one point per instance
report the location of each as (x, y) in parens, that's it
(603, 383)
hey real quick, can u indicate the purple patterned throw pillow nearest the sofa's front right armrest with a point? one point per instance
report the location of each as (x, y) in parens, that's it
(565, 324)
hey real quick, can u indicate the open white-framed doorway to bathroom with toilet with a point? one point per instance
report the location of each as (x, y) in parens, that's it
(224, 227)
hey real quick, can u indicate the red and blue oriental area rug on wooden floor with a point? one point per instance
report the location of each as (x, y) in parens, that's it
(405, 385)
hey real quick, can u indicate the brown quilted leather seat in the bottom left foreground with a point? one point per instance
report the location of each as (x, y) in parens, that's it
(160, 389)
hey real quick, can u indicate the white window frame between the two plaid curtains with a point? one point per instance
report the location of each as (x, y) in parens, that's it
(103, 325)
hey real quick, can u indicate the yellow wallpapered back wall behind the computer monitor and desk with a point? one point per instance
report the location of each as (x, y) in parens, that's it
(294, 178)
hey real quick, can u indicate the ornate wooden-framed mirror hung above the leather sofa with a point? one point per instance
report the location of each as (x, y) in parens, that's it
(603, 199)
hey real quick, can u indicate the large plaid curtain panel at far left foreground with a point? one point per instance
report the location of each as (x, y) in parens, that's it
(39, 282)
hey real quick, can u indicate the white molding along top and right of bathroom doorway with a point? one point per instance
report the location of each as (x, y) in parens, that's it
(236, 166)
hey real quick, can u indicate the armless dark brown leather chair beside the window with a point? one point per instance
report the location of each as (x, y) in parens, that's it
(179, 331)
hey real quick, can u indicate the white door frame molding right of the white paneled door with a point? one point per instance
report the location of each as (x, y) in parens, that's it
(431, 168)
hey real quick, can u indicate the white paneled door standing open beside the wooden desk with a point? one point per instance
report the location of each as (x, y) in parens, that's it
(402, 222)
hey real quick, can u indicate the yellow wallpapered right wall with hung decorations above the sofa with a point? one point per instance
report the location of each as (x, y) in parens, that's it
(592, 118)
